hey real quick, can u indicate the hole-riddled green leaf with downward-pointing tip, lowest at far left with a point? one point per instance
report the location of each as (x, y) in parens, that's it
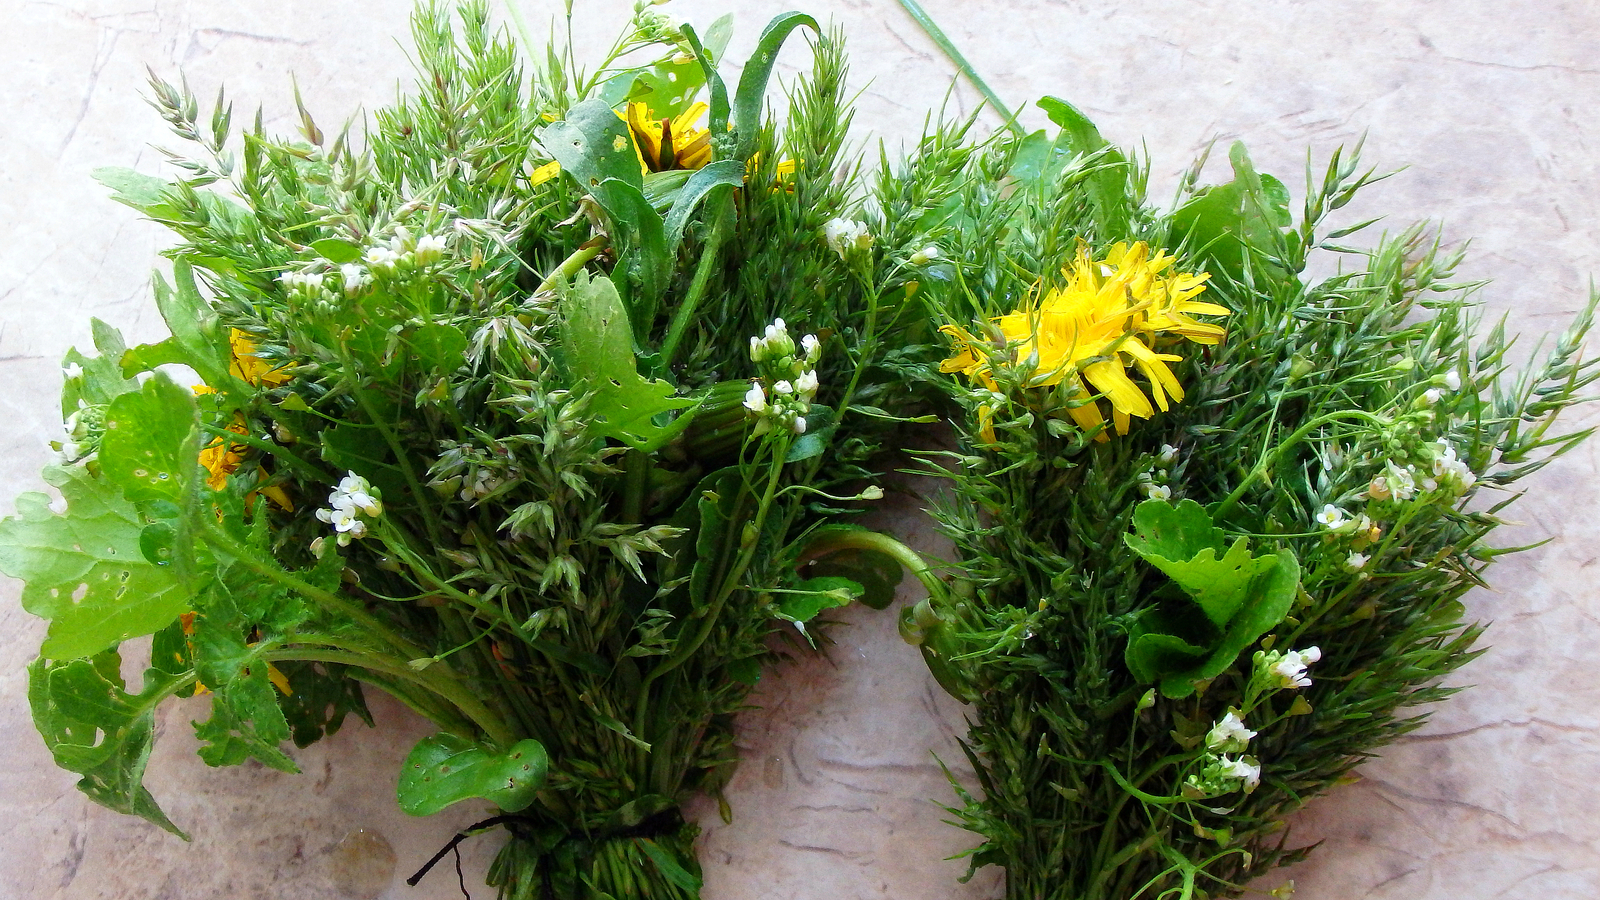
(97, 729)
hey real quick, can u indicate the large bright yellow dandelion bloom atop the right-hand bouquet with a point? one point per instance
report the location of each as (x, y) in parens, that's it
(1106, 319)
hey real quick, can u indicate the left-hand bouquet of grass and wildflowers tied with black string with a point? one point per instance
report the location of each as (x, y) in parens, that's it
(524, 408)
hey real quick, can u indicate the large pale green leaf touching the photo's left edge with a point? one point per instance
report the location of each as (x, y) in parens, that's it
(86, 571)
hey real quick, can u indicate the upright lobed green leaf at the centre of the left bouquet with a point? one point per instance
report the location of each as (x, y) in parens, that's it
(601, 356)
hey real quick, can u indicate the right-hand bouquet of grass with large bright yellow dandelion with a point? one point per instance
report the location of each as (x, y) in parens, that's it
(1212, 520)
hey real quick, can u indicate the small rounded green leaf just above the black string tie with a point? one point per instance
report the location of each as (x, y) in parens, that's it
(446, 769)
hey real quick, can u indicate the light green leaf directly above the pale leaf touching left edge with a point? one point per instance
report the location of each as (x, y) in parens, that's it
(151, 446)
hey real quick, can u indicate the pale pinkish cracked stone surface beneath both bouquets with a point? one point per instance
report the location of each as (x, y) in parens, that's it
(1487, 103)
